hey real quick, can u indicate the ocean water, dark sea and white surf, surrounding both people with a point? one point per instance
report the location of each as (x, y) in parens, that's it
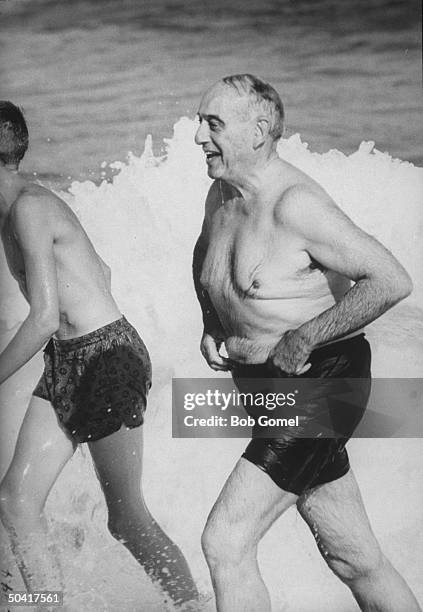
(95, 78)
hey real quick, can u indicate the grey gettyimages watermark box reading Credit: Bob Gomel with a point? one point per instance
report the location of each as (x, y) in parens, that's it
(297, 407)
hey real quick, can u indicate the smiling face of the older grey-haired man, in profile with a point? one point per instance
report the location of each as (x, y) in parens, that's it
(226, 132)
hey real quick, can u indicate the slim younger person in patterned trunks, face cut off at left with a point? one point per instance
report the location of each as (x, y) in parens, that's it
(94, 387)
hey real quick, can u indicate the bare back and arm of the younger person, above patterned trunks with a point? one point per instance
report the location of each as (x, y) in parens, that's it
(64, 280)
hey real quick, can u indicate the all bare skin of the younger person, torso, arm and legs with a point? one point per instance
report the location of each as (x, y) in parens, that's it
(67, 286)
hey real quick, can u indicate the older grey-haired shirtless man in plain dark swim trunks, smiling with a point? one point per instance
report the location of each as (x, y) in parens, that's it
(282, 275)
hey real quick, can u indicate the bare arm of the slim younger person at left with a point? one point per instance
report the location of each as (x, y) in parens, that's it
(36, 243)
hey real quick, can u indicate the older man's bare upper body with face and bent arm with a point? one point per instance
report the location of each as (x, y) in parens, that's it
(277, 254)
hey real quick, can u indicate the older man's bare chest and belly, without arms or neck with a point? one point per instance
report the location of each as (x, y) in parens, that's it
(260, 279)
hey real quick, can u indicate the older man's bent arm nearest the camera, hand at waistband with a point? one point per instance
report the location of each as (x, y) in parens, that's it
(333, 240)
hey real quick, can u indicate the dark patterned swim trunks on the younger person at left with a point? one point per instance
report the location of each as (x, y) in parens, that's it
(97, 382)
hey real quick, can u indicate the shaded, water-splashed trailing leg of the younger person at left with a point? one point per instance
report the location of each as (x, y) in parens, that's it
(118, 463)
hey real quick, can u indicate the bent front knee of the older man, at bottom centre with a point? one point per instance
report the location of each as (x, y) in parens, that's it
(225, 545)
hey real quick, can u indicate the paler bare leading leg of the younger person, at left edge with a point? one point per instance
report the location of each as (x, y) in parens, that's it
(41, 452)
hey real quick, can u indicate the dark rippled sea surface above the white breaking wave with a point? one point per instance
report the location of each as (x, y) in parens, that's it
(94, 77)
